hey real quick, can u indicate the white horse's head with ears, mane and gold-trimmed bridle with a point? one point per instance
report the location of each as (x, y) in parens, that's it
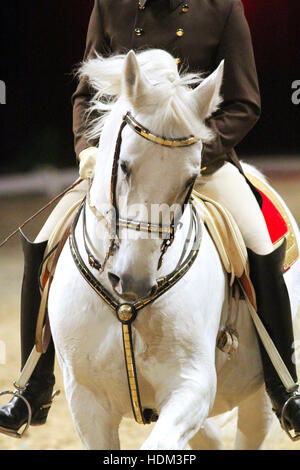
(155, 166)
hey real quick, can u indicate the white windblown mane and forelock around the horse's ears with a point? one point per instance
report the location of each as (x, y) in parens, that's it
(171, 106)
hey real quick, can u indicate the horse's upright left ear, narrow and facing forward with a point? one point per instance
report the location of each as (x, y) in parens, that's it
(135, 84)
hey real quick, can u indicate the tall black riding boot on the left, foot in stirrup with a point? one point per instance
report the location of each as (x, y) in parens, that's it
(39, 389)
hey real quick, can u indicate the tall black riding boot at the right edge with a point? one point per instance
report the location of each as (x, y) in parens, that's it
(274, 310)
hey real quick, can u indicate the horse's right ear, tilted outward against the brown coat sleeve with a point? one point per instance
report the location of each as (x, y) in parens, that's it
(207, 94)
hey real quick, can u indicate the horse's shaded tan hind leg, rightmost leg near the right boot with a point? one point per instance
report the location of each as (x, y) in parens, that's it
(254, 419)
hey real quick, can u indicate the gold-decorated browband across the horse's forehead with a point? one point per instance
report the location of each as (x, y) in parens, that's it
(166, 142)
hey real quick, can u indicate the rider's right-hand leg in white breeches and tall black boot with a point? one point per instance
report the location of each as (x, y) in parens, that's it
(230, 188)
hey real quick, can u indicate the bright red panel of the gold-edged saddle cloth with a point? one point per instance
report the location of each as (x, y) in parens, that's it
(276, 224)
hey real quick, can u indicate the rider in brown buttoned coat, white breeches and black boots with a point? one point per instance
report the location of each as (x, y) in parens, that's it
(199, 34)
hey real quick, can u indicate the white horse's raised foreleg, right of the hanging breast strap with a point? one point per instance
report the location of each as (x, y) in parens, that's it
(181, 415)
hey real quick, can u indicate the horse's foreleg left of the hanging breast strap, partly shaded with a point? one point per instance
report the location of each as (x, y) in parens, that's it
(95, 423)
